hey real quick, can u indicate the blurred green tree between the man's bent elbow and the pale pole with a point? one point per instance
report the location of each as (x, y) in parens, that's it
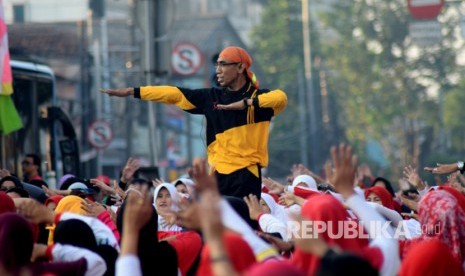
(278, 49)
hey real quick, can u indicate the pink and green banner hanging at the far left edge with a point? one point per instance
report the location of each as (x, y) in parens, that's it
(9, 118)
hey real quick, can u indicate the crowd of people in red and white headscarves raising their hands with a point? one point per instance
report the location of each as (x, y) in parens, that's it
(149, 227)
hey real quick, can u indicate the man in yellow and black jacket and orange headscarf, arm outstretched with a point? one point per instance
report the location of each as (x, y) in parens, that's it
(238, 118)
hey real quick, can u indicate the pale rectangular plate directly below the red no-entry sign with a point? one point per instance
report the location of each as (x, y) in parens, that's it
(425, 33)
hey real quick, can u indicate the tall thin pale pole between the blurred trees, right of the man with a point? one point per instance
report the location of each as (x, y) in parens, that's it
(309, 84)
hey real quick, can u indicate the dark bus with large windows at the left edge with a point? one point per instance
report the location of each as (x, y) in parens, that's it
(47, 130)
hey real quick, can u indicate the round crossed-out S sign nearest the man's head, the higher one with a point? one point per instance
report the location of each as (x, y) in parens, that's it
(186, 59)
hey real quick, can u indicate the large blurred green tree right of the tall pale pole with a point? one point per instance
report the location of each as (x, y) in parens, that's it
(383, 81)
